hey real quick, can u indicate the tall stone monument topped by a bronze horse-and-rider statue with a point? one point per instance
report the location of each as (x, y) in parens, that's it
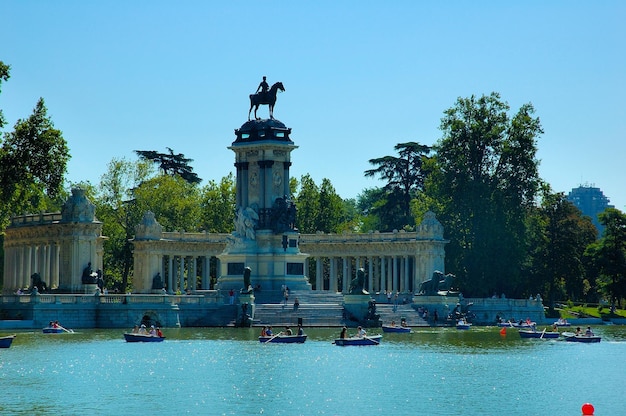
(265, 239)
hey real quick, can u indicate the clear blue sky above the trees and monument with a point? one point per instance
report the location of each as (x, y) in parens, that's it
(360, 76)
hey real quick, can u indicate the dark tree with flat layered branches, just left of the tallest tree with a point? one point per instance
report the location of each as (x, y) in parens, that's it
(405, 177)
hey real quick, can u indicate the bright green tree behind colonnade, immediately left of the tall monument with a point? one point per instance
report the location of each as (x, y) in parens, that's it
(218, 205)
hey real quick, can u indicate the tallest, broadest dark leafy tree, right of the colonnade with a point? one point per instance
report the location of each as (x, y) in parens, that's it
(484, 182)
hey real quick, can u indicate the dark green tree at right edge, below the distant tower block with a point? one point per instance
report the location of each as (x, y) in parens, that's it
(609, 255)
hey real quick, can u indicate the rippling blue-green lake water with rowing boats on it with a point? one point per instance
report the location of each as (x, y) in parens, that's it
(226, 371)
